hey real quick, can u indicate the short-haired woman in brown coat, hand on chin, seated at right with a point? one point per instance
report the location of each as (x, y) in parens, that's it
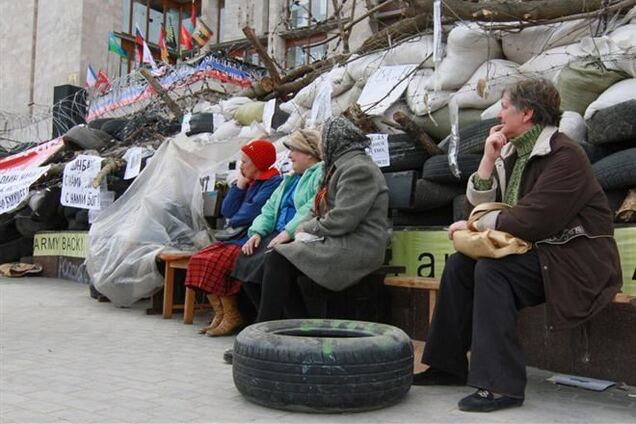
(558, 205)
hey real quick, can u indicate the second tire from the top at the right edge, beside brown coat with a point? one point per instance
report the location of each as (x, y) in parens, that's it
(617, 171)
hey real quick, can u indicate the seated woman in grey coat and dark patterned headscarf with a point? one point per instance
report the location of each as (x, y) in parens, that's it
(346, 231)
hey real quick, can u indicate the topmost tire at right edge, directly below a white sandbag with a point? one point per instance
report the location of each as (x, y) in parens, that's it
(613, 124)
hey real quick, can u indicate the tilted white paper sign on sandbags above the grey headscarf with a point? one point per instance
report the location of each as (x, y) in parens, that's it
(384, 87)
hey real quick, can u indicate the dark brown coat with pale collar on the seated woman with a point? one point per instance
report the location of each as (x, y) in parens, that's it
(562, 209)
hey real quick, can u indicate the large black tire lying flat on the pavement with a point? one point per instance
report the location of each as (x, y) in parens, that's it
(326, 366)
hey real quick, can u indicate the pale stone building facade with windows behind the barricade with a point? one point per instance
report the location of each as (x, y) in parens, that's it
(44, 44)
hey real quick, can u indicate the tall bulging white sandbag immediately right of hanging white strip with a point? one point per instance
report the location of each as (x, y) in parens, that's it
(467, 48)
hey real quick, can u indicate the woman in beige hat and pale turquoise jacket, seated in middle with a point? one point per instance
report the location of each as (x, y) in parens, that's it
(279, 217)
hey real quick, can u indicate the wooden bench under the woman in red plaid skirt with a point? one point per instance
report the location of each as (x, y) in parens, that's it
(178, 260)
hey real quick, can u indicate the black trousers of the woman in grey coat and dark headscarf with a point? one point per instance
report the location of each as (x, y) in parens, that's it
(279, 295)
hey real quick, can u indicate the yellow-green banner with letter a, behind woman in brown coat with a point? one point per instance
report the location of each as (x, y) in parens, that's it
(424, 252)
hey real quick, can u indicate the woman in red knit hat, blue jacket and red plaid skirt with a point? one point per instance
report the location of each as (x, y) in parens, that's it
(209, 269)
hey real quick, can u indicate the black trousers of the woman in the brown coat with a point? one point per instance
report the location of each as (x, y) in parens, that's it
(477, 310)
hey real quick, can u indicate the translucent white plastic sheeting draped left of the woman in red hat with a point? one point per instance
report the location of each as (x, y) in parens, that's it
(162, 208)
